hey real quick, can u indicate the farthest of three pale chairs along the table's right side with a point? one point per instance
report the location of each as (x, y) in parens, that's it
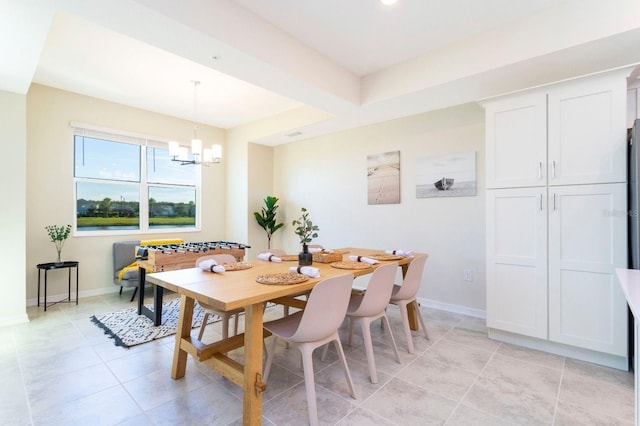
(405, 294)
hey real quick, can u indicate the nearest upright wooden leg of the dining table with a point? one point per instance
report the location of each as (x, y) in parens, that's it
(253, 385)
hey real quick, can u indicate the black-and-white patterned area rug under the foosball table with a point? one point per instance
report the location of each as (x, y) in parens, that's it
(127, 328)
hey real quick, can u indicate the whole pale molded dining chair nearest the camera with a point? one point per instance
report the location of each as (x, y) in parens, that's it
(313, 327)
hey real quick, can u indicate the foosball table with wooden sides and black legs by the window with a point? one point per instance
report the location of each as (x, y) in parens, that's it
(169, 257)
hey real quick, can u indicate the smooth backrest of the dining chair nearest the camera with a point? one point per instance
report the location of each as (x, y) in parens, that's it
(325, 309)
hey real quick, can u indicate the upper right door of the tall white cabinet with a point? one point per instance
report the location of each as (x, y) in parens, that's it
(587, 131)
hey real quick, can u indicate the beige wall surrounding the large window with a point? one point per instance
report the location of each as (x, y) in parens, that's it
(50, 194)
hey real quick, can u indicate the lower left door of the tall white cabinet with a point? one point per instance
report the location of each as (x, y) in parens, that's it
(517, 261)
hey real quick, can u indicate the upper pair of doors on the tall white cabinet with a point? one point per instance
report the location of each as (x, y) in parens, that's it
(567, 134)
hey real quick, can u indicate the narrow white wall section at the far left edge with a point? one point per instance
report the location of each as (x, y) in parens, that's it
(13, 182)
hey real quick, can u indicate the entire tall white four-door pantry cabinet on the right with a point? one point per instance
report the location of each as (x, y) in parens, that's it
(556, 217)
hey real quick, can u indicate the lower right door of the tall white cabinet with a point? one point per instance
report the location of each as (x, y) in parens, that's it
(587, 241)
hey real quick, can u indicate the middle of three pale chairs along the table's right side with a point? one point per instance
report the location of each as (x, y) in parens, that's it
(364, 308)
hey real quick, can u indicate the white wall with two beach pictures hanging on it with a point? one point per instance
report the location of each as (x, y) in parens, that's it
(328, 176)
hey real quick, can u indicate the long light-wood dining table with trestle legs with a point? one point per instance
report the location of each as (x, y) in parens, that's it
(239, 289)
